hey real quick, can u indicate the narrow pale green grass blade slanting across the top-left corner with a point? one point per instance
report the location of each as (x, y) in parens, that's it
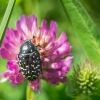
(6, 18)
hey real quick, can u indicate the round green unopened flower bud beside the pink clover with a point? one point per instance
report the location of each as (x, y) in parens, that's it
(86, 79)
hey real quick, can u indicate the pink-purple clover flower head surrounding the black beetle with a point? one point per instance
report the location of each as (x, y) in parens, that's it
(54, 53)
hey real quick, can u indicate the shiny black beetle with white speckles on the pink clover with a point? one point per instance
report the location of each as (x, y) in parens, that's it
(29, 61)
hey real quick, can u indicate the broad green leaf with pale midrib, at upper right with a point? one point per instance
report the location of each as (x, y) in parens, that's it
(84, 28)
